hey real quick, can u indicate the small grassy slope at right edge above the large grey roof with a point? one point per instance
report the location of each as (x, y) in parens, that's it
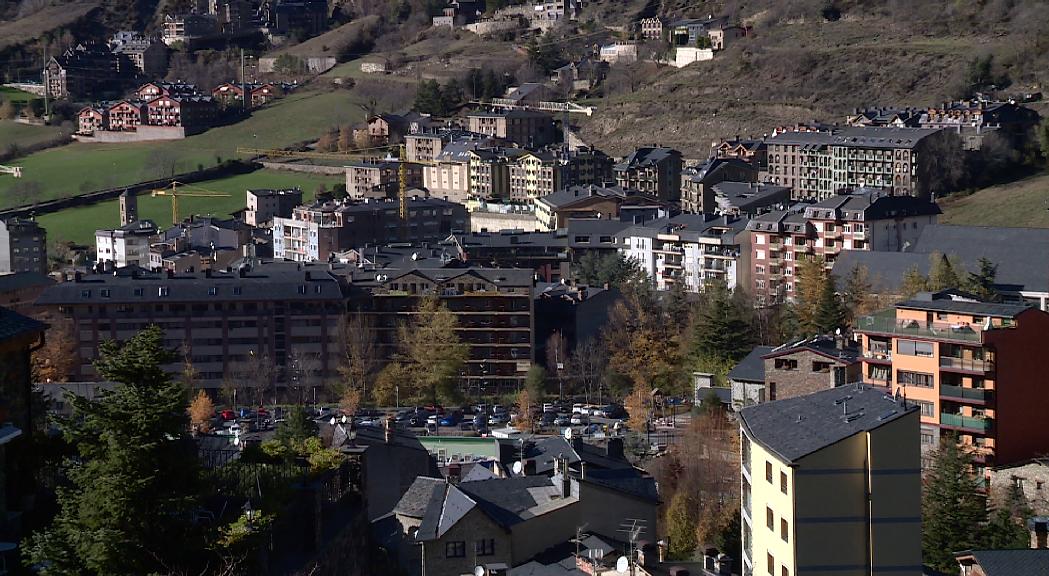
(1021, 204)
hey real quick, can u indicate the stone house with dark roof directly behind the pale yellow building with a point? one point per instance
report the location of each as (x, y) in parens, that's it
(810, 366)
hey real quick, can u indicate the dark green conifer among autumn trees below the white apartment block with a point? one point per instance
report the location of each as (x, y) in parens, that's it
(721, 331)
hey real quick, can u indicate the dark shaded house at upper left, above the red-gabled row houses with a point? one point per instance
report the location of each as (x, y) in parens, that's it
(82, 72)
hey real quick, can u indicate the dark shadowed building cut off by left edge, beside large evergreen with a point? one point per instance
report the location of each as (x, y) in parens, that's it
(19, 337)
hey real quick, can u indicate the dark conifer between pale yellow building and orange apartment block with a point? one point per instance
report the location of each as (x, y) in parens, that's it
(953, 508)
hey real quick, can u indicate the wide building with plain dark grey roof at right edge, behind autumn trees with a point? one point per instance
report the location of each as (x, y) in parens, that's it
(1022, 275)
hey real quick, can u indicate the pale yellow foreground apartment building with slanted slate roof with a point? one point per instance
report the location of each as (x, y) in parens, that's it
(831, 482)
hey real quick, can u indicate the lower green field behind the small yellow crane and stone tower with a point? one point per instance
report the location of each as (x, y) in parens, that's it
(79, 224)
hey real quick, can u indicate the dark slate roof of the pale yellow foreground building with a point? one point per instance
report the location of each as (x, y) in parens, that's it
(800, 426)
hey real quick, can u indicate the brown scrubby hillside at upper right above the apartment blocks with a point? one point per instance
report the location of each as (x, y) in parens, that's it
(801, 67)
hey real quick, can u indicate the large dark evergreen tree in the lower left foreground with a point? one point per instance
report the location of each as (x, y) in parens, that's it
(134, 481)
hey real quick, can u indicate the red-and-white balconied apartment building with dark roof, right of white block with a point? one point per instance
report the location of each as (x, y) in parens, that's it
(864, 220)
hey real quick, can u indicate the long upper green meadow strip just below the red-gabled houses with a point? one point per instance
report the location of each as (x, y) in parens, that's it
(80, 167)
